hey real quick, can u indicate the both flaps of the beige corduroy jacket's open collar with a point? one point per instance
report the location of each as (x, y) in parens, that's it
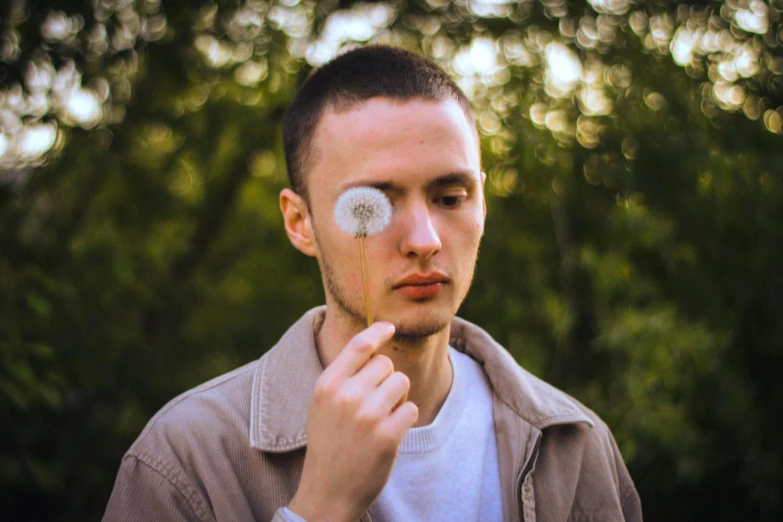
(285, 377)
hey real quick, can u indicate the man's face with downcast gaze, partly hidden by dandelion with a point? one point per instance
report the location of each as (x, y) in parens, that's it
(423, 155)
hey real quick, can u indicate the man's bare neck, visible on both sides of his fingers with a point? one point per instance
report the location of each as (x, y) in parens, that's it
(425, 361)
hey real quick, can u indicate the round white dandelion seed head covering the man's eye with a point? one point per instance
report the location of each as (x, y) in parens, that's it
(363, 211)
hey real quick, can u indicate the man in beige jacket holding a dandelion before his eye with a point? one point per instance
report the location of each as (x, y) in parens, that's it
(421, 416)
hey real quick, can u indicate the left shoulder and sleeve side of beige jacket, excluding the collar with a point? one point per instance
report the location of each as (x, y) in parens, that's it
(196, 454)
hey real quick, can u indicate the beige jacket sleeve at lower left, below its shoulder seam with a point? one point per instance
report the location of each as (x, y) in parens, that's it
(144, 491)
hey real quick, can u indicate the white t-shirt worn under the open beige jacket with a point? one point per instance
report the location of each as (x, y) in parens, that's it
(448, 470)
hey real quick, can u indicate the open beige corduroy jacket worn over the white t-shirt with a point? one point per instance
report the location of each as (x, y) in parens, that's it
(233, 448)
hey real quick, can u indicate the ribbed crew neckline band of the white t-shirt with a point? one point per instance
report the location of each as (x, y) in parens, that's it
(431, 437)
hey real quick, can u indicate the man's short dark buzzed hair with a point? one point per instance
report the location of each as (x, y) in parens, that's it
(373, 71)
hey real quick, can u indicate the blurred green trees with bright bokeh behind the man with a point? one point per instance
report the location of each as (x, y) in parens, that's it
(632, 254)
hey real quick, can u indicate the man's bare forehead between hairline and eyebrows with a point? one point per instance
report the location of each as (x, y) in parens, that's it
(381, 140)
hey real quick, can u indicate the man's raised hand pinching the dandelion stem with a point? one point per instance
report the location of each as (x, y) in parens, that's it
(358, 417)
